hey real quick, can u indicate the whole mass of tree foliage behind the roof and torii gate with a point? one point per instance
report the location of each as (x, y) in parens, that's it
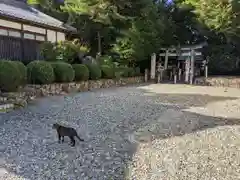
(130, 31)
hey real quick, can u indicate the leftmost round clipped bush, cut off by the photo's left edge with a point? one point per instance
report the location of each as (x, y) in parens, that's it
(10, 76)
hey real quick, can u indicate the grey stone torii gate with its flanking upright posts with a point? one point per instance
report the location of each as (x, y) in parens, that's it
(185, 51)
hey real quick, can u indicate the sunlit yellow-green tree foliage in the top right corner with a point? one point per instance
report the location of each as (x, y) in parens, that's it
(221, 16)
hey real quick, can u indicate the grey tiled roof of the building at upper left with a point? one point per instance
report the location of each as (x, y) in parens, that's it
(21, 10)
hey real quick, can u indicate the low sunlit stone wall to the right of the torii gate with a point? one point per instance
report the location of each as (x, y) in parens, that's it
(221, 81)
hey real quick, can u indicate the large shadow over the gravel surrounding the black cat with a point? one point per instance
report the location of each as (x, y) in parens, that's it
(31, 150)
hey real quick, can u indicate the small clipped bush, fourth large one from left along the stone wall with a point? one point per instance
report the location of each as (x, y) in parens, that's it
(81, 72)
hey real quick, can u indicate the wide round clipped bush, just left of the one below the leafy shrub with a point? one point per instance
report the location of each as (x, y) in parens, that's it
(40, 72)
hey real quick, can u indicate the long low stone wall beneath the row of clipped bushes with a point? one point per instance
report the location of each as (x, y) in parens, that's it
(30, 92)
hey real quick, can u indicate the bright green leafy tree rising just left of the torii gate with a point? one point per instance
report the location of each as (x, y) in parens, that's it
(144, 37)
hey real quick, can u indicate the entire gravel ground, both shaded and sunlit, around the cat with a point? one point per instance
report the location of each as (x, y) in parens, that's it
(152, 132)
